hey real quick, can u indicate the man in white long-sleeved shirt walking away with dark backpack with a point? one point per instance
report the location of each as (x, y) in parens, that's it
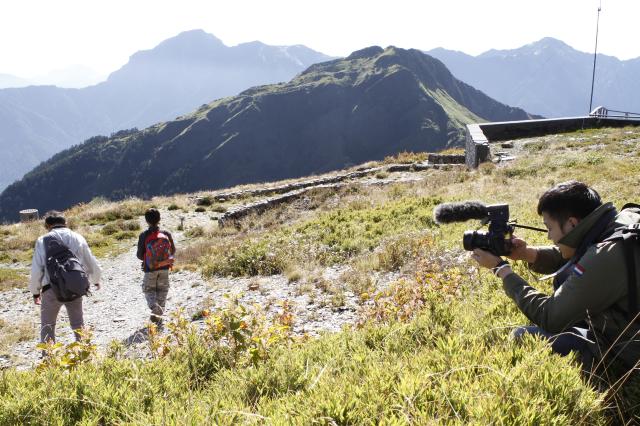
(40, 284)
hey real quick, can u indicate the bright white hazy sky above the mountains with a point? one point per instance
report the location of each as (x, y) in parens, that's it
(38, 36)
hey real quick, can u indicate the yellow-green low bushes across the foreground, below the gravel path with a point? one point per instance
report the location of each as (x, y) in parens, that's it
(438, 356)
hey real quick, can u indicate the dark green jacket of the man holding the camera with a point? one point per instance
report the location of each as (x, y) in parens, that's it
(596, 291)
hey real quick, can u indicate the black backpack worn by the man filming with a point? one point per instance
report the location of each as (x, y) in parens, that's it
(630, 237)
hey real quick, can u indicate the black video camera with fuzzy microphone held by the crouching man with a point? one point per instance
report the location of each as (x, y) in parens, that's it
(498, 240)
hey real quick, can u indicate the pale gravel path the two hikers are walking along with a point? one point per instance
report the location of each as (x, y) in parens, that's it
(118, 311)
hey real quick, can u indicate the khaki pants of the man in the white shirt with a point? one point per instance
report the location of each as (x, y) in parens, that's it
(49, 309)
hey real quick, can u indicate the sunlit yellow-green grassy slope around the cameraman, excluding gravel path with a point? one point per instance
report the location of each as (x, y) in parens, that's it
(432, 348)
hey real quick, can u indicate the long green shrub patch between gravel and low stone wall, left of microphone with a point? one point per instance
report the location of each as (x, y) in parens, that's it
(332, 237)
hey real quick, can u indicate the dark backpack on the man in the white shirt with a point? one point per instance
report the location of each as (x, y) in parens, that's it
(67, 276)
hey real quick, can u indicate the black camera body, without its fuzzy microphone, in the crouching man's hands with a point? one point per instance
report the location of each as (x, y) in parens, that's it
(498, 239)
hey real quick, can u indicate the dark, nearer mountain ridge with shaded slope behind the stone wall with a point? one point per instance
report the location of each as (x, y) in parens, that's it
(375, 103)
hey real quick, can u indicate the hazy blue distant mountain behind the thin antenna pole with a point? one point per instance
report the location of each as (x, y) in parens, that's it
(548, 77)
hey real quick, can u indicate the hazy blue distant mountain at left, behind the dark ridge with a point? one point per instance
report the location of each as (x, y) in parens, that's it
(155, 85)
